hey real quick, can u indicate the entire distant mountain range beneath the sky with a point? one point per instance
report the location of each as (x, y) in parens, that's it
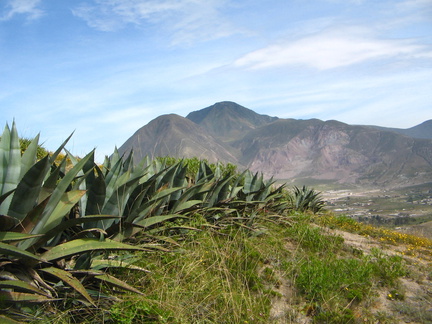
(291, 149)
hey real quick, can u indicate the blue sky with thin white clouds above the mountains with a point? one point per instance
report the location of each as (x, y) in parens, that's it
(101, 69)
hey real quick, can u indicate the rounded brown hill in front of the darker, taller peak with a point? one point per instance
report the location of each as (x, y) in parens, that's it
(173, 135)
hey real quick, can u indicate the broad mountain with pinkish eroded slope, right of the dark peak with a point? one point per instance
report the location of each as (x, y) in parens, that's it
(335, 151)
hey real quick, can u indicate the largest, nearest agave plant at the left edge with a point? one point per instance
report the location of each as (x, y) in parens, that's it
(43, 242)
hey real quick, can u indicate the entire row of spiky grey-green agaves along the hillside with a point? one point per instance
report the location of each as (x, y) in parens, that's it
(59, 225)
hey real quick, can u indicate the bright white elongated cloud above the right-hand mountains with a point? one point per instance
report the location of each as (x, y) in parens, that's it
(327, 50)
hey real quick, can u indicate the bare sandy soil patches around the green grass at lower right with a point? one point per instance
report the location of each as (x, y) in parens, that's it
(411, 302)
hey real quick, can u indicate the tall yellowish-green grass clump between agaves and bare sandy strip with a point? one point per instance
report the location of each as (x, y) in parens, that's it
(213, 278)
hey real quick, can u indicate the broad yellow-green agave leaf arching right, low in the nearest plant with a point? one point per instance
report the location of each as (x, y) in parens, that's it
(85, 245)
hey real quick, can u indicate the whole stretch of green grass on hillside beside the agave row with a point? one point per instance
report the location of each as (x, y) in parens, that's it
(237, 275)
